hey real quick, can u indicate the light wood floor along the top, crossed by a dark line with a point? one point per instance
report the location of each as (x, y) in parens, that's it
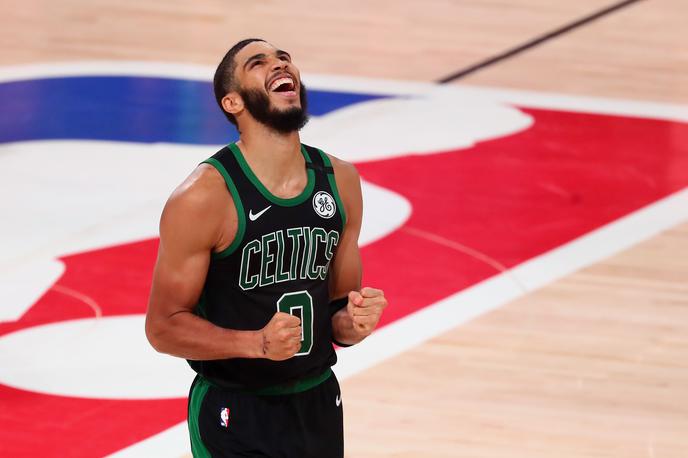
(638, 52)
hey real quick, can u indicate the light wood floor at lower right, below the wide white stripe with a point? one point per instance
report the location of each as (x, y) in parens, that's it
(590, 366)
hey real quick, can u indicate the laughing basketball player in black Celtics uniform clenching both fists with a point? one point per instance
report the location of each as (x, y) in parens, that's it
(259, 271)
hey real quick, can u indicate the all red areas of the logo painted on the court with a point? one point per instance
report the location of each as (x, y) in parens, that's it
(511, 198)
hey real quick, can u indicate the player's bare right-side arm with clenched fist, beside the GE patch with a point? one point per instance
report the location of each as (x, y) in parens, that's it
(357, 320)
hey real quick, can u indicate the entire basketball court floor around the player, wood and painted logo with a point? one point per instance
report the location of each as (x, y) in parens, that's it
(525, 173)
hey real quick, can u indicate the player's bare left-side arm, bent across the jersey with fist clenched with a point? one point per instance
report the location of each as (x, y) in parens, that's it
(191, 226)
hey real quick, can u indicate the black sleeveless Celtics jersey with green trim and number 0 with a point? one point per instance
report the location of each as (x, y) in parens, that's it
(279, 261)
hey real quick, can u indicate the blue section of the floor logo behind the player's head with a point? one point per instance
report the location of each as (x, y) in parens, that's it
(127, 108)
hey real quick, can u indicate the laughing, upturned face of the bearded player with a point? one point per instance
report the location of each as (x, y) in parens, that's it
(270, 86)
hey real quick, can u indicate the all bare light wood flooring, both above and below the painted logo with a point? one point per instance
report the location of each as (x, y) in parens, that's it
(593, 365)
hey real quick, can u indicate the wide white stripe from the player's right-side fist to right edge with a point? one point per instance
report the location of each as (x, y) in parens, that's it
(412, 330)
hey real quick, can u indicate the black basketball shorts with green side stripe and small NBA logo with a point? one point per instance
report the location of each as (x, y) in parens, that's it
(305, 424)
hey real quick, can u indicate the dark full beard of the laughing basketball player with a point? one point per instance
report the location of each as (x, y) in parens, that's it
(286, 121)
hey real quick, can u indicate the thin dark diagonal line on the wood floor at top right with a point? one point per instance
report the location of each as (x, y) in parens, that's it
(534, 42)
